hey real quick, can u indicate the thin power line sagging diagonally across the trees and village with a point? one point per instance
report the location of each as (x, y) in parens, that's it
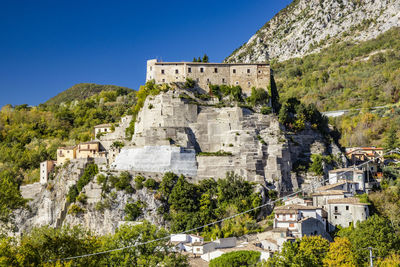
(209, 224)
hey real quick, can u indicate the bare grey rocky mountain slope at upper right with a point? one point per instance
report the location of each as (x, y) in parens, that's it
(305, 26)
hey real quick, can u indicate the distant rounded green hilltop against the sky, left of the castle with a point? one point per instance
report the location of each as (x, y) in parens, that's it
(82, 91)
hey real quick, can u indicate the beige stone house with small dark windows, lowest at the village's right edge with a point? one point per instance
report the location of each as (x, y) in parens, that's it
(346, 211)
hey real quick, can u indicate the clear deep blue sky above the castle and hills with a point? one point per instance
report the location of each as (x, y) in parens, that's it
(48, 46)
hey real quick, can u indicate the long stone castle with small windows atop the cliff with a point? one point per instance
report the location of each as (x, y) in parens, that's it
(244, 75)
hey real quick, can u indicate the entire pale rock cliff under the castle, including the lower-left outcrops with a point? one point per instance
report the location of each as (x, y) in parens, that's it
(179, 133)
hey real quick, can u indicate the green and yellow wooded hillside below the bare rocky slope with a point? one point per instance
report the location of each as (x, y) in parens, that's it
(346, 76)
